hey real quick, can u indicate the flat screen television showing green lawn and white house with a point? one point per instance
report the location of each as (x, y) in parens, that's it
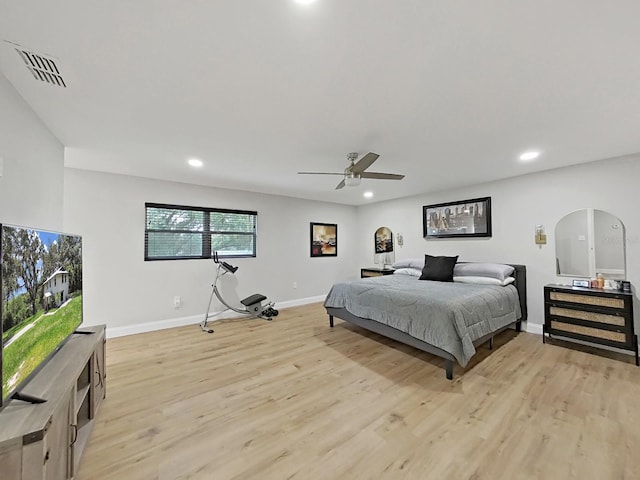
(41, 305)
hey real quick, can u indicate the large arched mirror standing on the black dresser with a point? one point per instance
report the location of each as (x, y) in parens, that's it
(589, 242)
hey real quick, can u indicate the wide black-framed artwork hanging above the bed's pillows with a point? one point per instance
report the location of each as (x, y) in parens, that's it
(464, 218)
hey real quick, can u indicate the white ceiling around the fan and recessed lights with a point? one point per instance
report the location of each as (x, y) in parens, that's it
(449, 93)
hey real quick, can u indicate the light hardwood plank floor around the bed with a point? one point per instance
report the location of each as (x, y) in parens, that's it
(293, 398)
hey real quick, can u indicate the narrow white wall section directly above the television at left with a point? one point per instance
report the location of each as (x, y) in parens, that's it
(33, 163)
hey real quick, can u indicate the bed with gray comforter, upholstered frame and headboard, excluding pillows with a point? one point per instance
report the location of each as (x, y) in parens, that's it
(446, 319)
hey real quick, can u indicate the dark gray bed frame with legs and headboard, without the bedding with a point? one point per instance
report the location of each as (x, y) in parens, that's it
(520, 275)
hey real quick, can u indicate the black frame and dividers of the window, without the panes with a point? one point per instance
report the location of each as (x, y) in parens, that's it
(206, 231)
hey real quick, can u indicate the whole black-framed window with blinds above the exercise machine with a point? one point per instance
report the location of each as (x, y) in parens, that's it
(175, 232)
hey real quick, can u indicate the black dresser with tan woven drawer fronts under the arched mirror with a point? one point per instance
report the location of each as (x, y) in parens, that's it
(597, 316)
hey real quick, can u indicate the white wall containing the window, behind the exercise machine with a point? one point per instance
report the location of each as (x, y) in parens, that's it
(129, 294)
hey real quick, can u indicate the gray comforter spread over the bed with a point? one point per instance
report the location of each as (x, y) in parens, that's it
(448, 315)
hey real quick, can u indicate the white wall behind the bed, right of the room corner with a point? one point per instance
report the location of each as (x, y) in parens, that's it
(518, 205)
